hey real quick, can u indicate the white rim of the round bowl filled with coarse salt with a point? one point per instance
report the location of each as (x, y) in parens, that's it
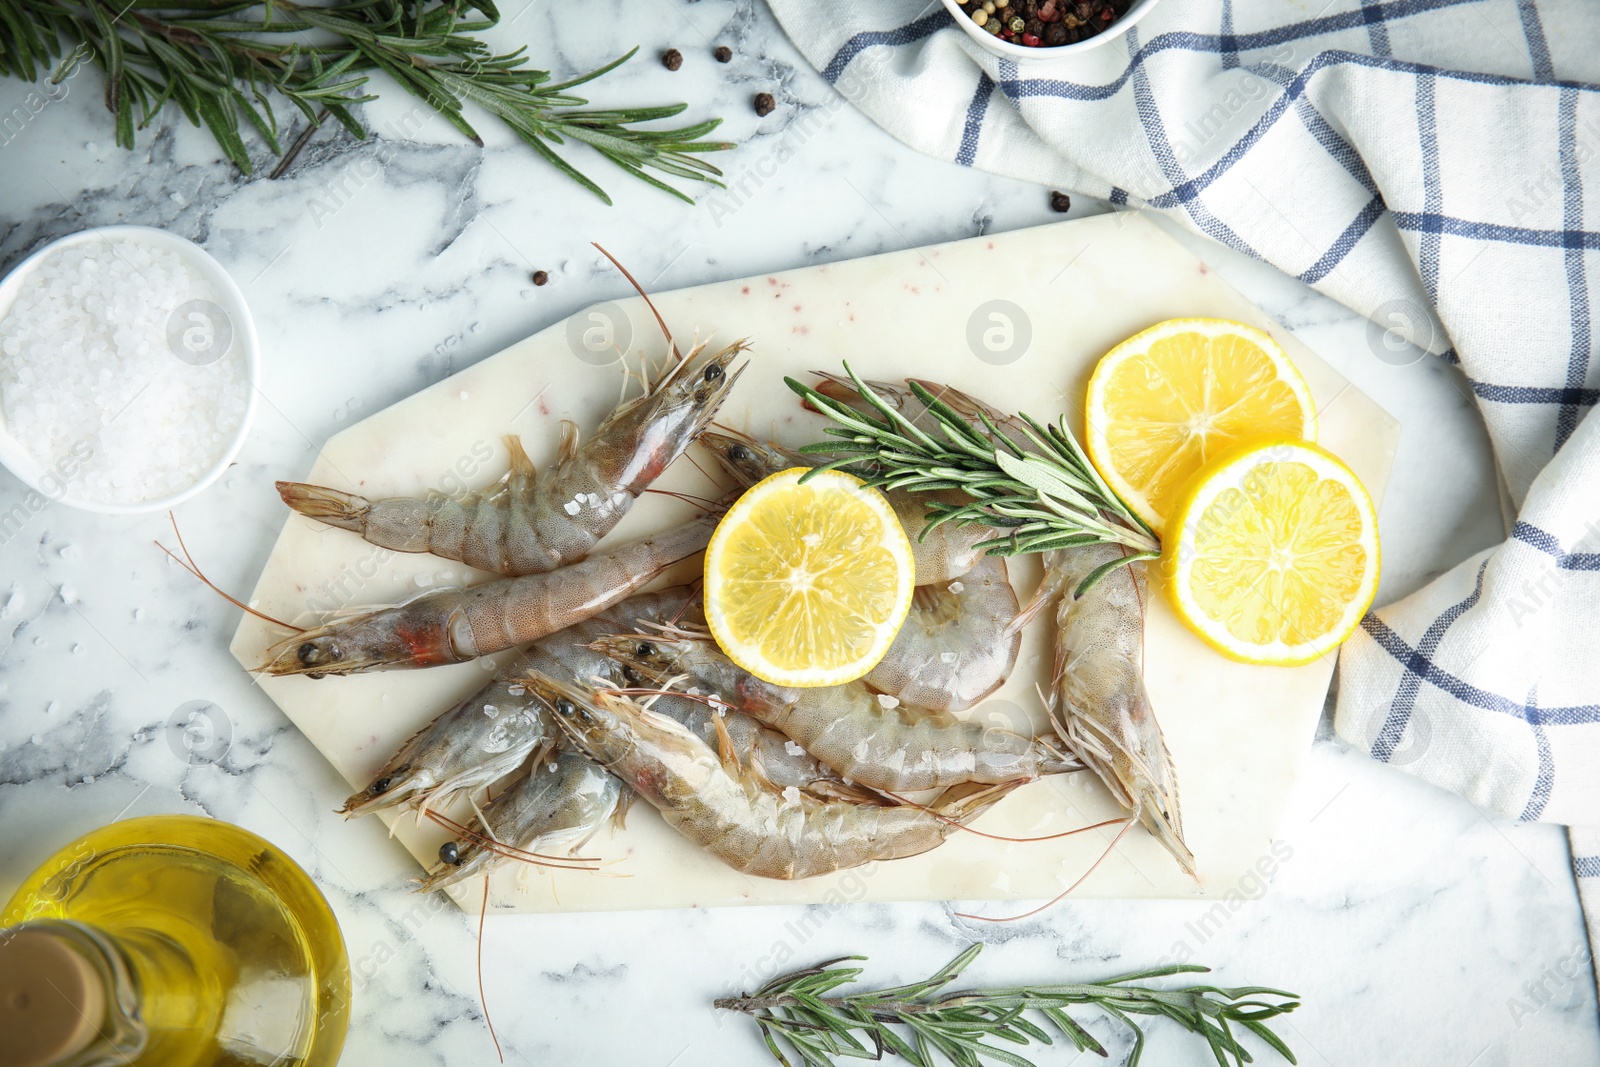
(28, 468)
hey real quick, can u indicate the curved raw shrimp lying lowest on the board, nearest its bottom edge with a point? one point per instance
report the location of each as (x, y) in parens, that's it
(732, 815)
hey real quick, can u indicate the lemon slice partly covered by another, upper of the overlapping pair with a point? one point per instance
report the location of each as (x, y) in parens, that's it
(1166, 402)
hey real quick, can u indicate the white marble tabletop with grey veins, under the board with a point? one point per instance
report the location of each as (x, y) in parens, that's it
(1412, 924)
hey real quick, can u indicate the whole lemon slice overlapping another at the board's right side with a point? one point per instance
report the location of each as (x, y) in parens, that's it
(1273, 554)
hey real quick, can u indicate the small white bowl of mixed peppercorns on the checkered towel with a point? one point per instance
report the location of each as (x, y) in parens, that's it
(1036, 30)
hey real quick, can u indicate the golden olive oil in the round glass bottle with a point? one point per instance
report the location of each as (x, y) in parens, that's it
(231, 954)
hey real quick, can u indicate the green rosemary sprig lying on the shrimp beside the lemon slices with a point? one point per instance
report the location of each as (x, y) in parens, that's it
(1046, 495)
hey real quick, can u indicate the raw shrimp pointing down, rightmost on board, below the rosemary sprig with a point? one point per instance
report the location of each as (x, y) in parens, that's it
(1098, 700)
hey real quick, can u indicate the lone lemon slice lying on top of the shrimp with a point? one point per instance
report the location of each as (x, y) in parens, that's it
(809, 585)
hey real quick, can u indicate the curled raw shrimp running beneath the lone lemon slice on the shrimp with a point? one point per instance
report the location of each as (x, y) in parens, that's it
(962, 637)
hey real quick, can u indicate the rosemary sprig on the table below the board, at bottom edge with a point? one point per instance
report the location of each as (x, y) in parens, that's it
(926, 1028)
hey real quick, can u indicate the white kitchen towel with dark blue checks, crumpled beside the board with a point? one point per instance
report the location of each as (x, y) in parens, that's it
(1425, 162)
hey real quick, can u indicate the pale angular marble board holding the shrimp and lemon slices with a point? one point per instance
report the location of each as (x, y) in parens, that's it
(1018, 319)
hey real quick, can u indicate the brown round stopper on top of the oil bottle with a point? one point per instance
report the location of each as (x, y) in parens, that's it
(52, 999)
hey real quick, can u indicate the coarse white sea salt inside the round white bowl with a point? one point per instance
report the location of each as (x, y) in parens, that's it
(92, 380)
